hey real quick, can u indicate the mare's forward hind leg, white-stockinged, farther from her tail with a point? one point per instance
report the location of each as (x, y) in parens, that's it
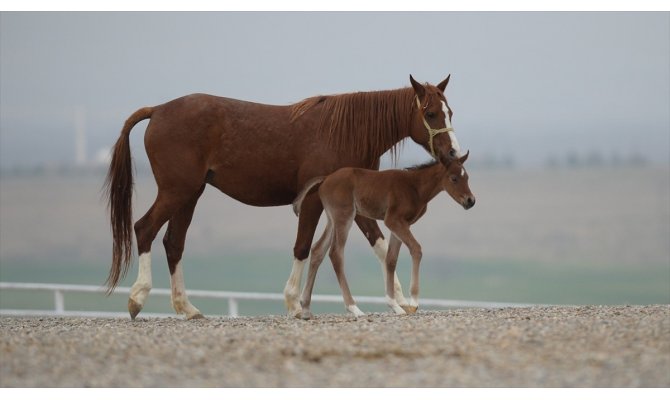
(173, 241)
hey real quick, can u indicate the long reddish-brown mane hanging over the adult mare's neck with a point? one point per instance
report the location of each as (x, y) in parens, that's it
(367, 123)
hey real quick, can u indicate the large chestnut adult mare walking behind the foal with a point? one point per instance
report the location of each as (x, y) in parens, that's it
(260, 155)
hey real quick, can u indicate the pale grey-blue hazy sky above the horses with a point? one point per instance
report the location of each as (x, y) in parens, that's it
(530, 85)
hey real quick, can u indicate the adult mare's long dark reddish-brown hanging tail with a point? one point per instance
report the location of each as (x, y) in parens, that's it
(119, 190)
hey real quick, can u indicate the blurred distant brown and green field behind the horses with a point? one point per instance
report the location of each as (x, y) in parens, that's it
(556, 237)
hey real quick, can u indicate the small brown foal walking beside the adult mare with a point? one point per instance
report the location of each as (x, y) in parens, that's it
(397, 197)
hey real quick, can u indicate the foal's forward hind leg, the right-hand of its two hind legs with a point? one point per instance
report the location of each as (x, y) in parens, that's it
(341, 224)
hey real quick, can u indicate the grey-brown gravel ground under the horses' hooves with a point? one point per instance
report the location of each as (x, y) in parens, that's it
(592, 346)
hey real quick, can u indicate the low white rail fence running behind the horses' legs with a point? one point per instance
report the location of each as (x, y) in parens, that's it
(232, 298)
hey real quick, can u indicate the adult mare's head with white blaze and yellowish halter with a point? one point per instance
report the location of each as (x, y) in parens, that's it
(431, 121)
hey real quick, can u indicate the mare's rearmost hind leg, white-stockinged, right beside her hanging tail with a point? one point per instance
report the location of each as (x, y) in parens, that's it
(146, 229)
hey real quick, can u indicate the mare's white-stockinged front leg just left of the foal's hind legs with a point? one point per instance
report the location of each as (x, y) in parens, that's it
(307, 221)
